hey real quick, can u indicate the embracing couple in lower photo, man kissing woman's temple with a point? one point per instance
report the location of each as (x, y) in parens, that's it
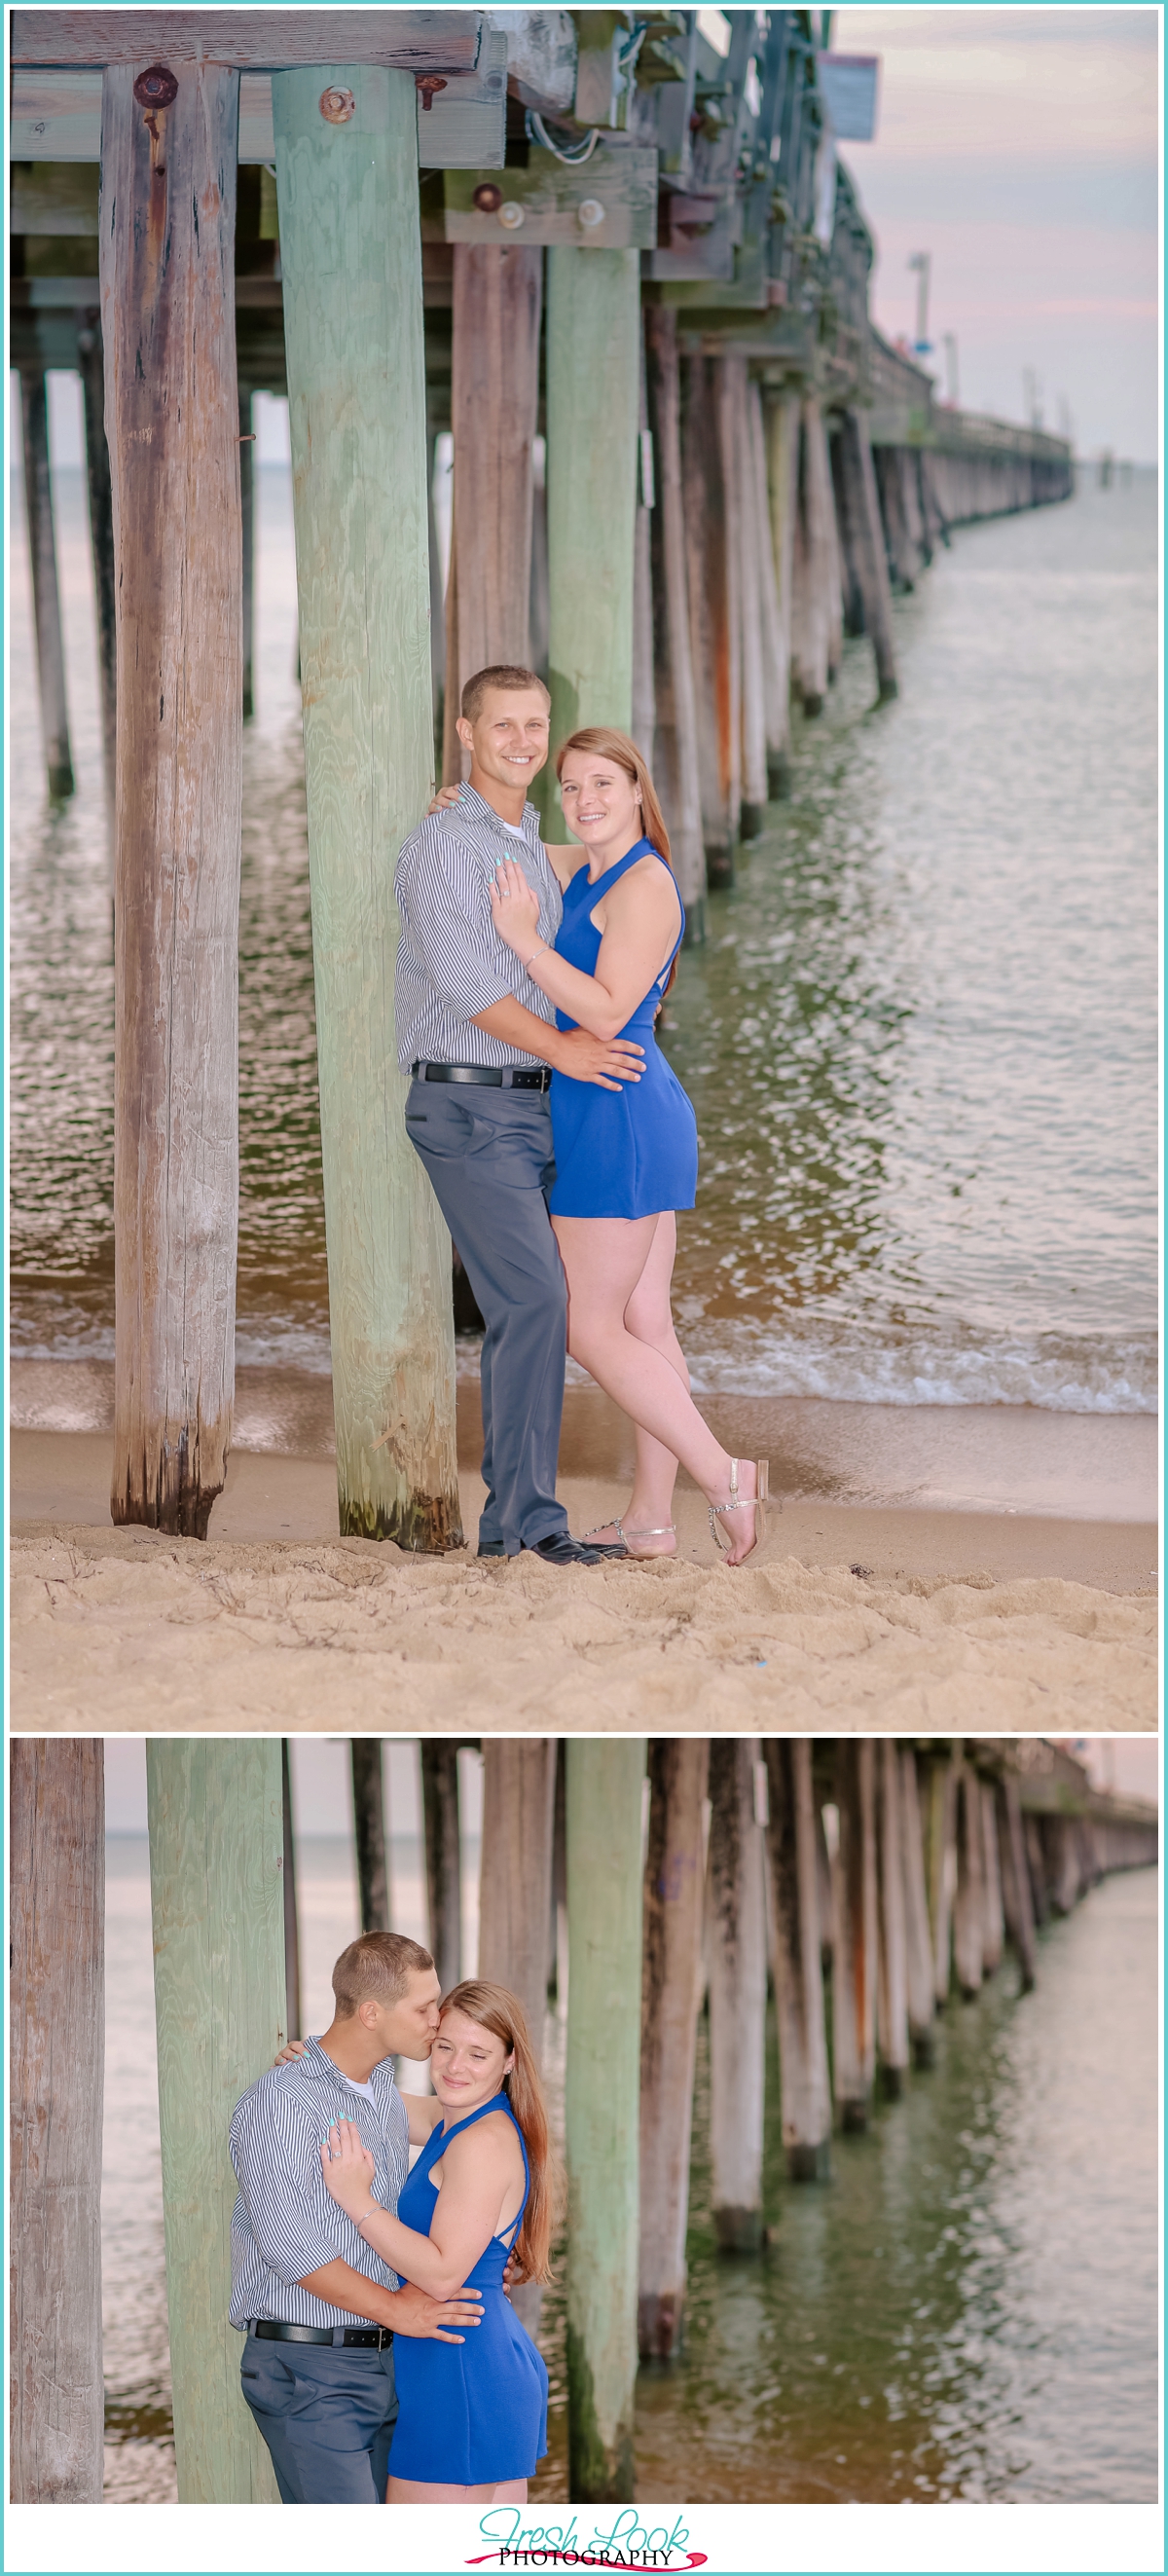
(382, 2356)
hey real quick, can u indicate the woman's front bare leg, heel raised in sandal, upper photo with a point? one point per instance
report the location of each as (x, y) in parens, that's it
(606, 1261)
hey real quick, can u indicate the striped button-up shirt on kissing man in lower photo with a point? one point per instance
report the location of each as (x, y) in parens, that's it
(284, 2222)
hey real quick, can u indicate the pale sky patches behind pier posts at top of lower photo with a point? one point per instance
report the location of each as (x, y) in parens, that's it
(323, 1779)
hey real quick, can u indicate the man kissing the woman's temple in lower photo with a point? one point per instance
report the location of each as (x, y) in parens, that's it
(320, 2309)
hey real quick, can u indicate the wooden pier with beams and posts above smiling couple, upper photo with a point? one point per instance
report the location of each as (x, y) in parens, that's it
(593, 231)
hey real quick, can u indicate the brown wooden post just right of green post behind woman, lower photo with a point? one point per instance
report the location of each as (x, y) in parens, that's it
(673, 1949)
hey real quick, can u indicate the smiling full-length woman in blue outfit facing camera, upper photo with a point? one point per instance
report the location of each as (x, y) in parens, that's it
(626, 1160)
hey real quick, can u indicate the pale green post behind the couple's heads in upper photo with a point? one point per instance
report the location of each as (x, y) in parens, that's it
(593, 450)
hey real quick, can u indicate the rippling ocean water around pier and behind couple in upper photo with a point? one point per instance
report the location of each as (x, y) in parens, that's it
(920, 1039)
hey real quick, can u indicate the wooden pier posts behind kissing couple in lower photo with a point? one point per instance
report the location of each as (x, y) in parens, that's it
(868, 1884)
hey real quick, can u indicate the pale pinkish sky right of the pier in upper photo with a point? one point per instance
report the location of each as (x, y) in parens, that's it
(1020, 148)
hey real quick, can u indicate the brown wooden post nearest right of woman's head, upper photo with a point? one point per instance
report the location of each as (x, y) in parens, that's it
(673, 653)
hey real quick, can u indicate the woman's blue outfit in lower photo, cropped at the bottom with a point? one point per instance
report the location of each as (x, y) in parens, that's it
(477, 2412)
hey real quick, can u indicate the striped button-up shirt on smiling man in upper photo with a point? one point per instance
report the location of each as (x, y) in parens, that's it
(452, 960)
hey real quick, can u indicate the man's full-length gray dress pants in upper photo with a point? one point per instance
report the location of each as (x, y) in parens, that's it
(488, 1155)
